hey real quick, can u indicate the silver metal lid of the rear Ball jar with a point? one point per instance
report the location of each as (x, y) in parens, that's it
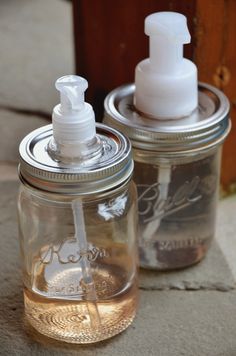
(207, 126)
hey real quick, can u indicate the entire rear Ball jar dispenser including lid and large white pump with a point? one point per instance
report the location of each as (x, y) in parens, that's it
(177, 127)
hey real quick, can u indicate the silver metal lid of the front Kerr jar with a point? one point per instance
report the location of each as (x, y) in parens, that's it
(112, 168)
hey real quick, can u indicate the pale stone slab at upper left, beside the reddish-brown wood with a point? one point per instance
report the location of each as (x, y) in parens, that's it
(36, 48)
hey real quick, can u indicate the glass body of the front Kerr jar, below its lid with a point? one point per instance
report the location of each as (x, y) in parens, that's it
(71, 294)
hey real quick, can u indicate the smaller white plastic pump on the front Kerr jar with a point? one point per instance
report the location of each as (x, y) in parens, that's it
(73, 119)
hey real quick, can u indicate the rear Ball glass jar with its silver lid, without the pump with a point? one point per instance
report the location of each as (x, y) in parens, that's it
(177, 171)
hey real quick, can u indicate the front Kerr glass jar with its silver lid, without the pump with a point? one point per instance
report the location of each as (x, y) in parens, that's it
(77, 229)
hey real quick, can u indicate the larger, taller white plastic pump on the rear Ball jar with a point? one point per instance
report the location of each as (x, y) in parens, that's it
(166, 83)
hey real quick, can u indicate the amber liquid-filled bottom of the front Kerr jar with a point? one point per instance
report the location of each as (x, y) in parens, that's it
(81, 322)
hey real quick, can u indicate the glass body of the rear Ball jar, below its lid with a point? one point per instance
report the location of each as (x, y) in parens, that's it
(177, 218)
